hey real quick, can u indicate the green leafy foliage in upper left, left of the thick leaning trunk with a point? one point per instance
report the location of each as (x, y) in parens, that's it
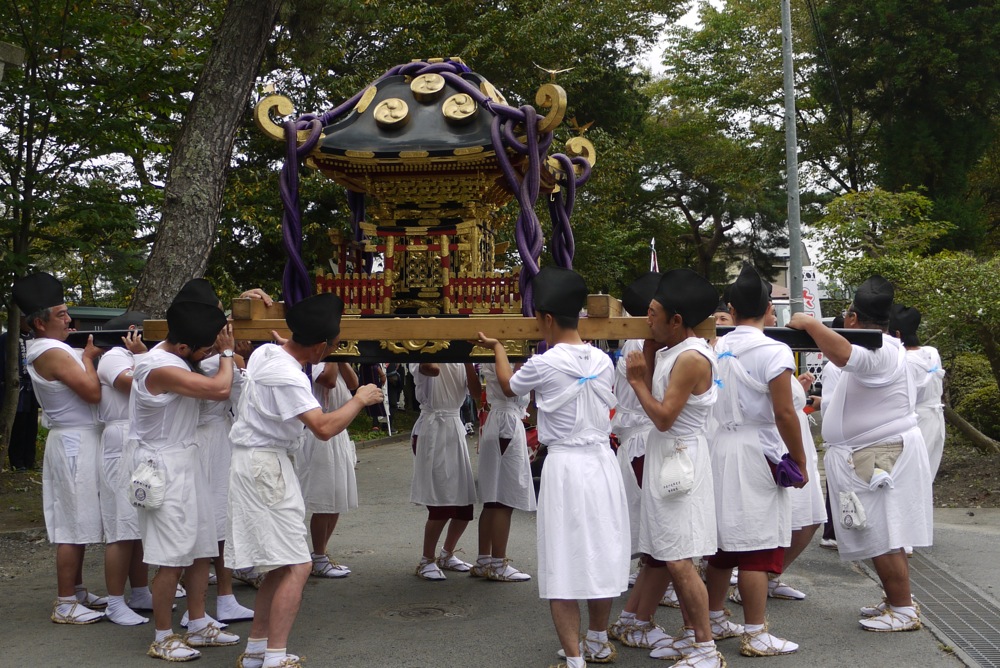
(85, 127)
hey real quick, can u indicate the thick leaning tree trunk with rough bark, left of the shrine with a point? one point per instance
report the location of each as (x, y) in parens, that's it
(196, 176)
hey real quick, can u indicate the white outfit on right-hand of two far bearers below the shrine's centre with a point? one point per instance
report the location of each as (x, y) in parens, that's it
(504, 478)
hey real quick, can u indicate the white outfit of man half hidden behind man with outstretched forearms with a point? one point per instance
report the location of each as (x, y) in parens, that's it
(326, 468)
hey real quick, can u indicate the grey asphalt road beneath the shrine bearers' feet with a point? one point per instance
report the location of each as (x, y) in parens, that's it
(382, 615)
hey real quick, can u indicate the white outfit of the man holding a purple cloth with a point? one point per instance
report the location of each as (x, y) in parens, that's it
(752, 510)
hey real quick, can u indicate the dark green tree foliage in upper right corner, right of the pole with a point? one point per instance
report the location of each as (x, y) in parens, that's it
(930, 79)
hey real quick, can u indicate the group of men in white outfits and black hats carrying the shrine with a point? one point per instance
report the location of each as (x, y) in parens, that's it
(196, 452)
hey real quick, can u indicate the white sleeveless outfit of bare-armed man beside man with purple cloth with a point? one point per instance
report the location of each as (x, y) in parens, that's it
(683, 526)
